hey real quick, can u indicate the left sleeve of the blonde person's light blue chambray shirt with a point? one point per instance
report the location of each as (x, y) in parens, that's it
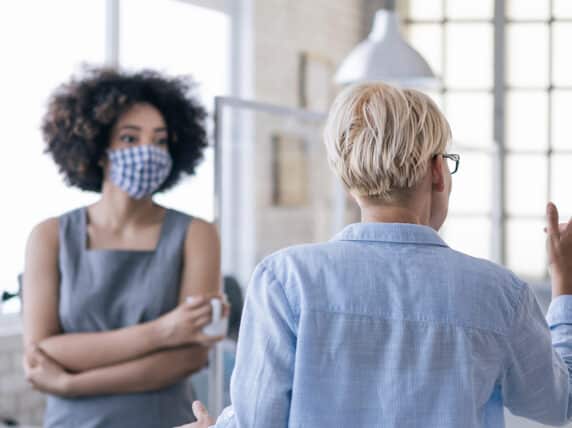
(261, 384)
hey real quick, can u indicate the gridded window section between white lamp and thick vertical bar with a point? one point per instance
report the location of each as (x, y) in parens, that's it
(440, 31)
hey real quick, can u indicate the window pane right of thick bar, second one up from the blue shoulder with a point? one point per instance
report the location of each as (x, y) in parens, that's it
(526, 184)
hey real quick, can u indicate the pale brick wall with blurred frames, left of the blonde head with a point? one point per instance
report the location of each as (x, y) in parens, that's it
(284, 30)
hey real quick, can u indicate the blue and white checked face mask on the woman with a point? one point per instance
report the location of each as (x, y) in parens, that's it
(140, 170)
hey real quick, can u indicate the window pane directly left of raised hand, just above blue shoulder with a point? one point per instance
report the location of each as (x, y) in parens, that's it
(526, 254)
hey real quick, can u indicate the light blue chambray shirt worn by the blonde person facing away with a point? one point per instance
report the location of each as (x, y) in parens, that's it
(386, 326)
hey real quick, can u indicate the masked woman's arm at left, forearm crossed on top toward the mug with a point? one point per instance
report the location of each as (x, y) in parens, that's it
(85, 351)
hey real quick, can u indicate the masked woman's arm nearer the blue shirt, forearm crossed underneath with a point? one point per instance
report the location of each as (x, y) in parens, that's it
(201, 276)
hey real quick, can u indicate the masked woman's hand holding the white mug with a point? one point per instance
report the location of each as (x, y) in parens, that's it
(184, 324)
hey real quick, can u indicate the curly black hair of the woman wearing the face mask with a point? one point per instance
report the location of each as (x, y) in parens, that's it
(81, 114)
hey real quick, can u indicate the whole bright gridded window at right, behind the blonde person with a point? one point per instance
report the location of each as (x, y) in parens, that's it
(526, 97)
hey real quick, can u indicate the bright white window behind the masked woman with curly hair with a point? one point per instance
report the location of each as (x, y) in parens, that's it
(173, 36)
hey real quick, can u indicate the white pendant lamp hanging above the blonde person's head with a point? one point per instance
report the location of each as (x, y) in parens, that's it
(386, 56)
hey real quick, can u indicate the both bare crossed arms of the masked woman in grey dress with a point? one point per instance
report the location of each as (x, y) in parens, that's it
(139, 358)
